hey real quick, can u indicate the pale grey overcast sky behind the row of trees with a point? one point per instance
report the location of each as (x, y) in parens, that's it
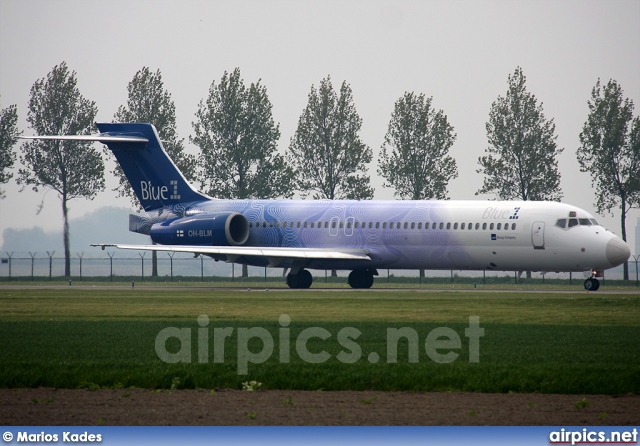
(459, 52)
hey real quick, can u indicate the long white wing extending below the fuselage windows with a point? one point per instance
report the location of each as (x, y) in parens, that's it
(274, 255)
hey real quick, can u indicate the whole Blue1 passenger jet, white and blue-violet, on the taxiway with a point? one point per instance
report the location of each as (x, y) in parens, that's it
(359, 236)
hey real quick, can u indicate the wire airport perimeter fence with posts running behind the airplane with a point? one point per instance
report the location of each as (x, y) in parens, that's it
(182, 267)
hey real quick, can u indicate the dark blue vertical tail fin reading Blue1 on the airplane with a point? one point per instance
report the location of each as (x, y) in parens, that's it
(154, 177)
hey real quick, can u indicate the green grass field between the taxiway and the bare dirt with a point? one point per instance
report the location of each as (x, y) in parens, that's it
(533, 342)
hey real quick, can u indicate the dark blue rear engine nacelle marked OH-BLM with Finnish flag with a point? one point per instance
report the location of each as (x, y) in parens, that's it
(219, 229)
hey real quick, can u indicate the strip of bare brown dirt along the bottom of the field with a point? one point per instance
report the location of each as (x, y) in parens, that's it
(47, 406)
